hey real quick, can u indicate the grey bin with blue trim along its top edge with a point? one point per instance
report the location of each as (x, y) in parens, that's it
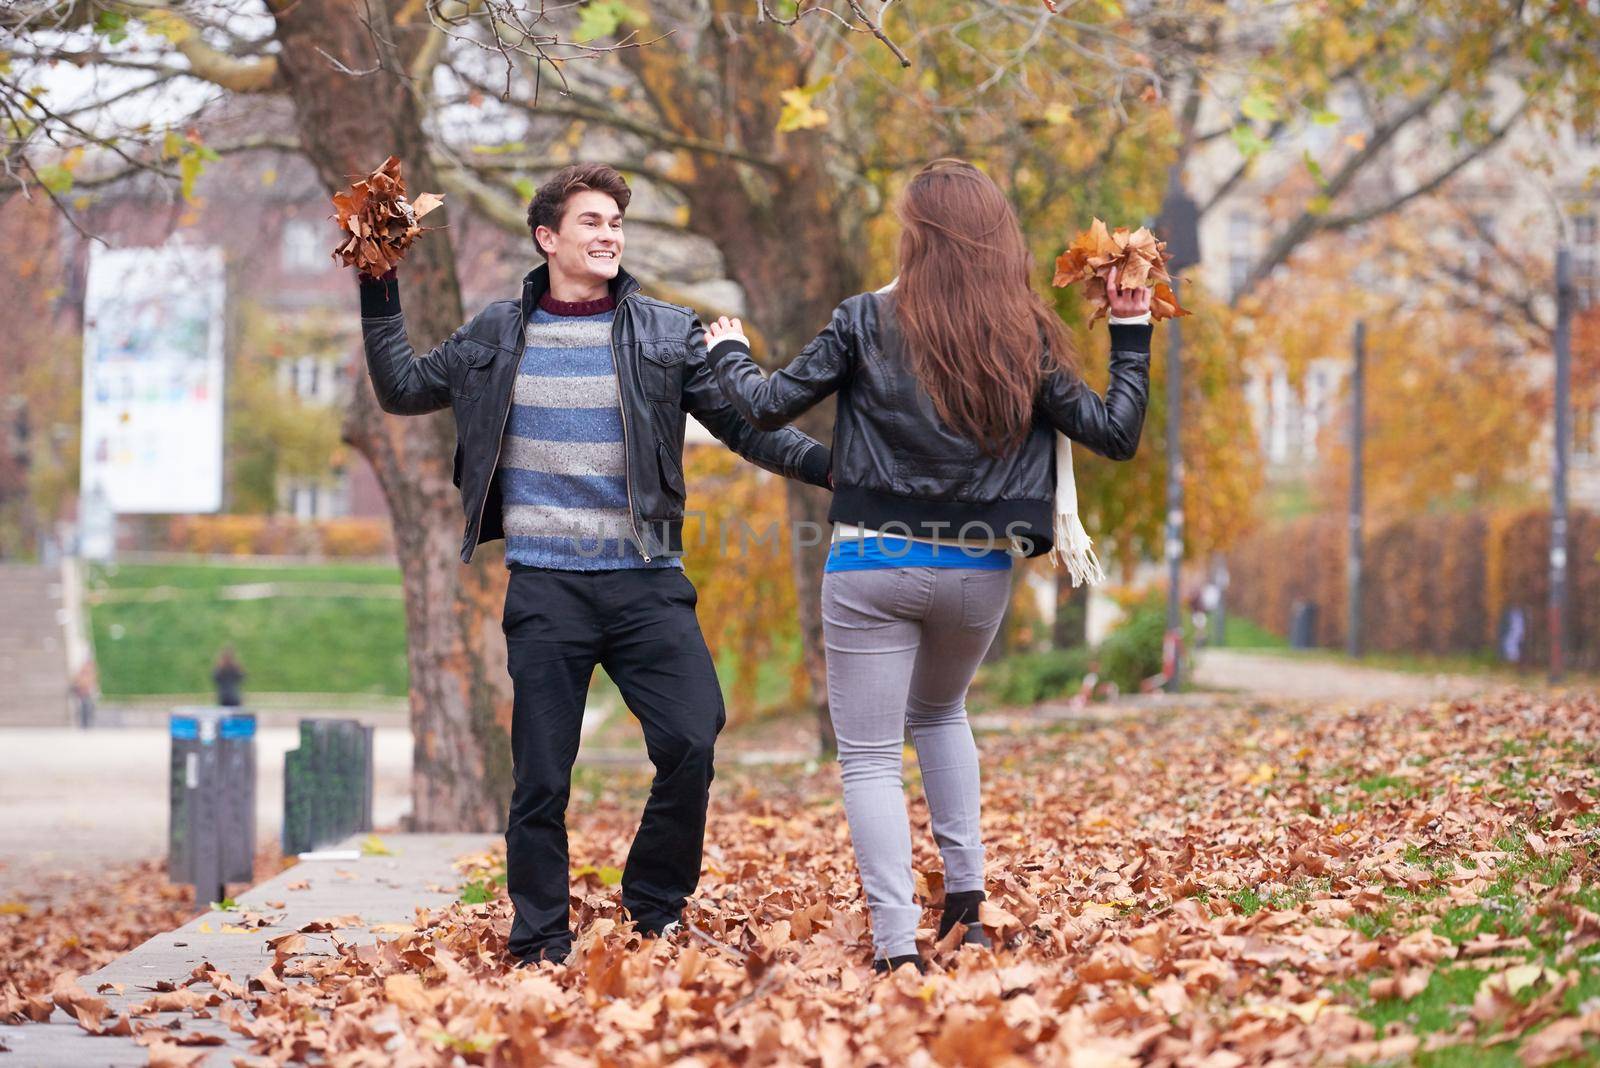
(212, 831)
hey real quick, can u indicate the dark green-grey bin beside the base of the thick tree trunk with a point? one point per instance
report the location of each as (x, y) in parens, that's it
(327, 784)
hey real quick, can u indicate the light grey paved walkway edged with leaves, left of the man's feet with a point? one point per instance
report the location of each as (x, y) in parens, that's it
(375, 890)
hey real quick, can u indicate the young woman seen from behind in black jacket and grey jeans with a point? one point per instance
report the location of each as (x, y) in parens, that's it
(953, 386)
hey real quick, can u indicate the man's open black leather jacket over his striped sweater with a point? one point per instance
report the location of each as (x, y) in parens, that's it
(662, 373)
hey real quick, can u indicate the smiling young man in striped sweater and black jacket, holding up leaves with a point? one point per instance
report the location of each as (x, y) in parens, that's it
(570, 410)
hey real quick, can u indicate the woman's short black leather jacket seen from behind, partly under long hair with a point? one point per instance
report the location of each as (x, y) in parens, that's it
(897, 468)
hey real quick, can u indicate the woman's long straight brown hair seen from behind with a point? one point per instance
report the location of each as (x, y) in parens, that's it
(975, 330)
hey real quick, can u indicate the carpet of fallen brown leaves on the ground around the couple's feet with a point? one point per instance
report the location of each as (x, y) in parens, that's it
(1231, 887)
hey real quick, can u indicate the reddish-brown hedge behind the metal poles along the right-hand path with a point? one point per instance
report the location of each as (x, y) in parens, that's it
(1436, 584)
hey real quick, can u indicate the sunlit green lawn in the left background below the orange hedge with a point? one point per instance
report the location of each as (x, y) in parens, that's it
(287, 645)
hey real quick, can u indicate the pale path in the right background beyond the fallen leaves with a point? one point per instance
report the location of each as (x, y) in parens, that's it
(1303, 679)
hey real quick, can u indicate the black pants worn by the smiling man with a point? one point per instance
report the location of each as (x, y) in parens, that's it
(641, 628)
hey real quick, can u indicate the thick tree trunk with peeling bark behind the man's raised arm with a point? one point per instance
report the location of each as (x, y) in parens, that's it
(460, 690)
